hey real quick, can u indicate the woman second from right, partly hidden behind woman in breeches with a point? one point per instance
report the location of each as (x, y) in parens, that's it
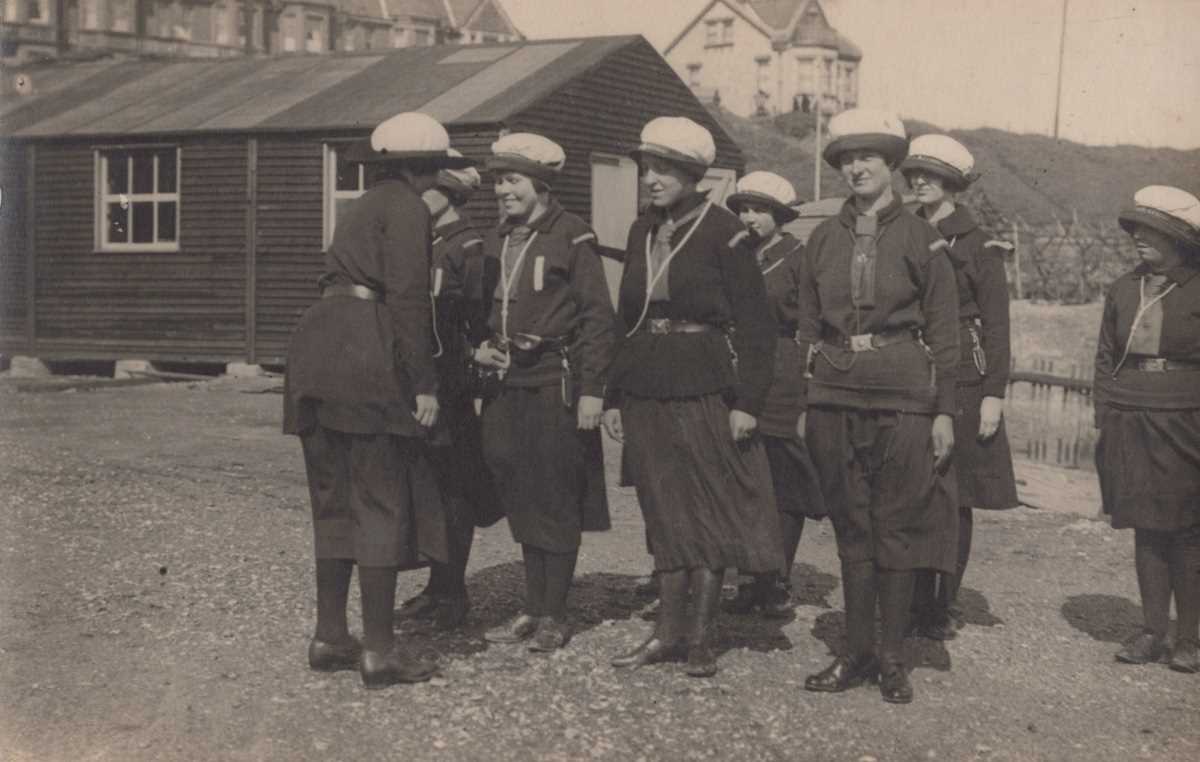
(938, 170)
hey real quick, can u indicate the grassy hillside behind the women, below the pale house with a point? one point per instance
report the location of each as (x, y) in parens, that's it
(1030, 177)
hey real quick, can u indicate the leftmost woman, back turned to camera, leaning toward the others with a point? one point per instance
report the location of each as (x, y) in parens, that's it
(361, 392)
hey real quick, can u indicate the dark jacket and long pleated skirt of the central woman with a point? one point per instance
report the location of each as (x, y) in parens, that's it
(706, 500)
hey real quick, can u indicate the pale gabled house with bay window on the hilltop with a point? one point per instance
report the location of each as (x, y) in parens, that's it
(767, 57)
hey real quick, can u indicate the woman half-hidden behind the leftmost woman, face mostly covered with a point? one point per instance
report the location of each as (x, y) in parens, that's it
(460, 323)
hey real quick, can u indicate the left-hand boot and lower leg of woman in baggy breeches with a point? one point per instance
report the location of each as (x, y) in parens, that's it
(859, 664)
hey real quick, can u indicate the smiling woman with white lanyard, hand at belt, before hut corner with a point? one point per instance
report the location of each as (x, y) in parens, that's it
(554, 332)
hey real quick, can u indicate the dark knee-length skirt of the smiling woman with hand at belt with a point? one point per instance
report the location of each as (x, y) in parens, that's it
(549, 475)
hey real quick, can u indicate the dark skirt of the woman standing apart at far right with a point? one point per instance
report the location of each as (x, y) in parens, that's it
(1149, 464)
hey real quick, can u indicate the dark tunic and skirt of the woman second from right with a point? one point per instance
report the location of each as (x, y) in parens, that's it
(985, 470)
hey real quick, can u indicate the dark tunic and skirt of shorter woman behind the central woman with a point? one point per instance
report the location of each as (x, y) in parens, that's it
(793, 473)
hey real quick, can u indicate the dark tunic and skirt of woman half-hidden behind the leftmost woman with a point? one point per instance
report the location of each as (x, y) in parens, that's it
(460, 323)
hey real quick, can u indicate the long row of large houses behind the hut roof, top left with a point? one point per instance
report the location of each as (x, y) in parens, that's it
(32, 29)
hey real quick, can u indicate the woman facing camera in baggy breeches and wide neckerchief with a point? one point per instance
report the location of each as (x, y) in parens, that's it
(879, 321)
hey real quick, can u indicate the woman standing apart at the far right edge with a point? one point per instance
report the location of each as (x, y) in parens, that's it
(1148, 407)
